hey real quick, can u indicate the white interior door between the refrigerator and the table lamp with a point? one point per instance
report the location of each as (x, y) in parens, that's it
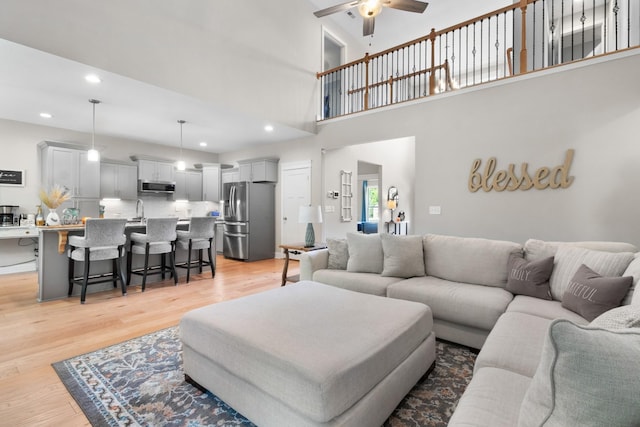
(296, 192)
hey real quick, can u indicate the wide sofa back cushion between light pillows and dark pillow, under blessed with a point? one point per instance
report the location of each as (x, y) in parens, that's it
(468, 260)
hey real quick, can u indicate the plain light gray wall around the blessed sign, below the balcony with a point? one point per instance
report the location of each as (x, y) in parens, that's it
(592, 107)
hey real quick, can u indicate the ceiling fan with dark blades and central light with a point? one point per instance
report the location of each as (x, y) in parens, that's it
(369, 9)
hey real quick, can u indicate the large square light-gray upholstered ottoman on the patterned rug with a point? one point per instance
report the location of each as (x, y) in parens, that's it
(309, 354)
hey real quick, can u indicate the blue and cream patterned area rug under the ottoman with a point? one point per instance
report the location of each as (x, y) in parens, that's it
(140, 382)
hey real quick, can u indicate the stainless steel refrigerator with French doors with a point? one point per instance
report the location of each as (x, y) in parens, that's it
(249, 220)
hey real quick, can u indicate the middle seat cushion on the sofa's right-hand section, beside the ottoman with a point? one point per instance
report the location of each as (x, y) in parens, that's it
(514, 344)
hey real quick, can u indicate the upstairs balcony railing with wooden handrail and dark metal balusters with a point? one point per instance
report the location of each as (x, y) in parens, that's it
(527, 36)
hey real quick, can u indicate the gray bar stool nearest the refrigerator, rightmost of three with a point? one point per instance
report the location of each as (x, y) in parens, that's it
(200, 236)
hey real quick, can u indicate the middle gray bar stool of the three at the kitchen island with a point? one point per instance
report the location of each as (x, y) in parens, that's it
(159, 239)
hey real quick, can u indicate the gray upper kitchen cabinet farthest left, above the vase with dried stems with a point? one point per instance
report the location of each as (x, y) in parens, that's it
(69, 168)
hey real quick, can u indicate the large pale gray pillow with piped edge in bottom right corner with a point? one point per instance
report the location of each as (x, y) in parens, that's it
(586, 377)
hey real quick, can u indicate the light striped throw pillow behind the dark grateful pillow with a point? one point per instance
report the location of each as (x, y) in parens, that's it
(569, 258)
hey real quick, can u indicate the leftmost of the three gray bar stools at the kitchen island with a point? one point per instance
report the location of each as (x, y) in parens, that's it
(103, 239)
